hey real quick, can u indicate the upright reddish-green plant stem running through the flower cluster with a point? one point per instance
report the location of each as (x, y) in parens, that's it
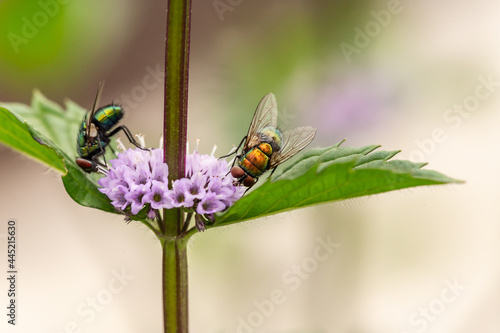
(174, 262)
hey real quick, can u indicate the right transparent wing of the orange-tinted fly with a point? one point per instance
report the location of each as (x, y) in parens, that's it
(294, 141)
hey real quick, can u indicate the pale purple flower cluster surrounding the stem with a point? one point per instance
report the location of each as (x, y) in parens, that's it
(139, 179)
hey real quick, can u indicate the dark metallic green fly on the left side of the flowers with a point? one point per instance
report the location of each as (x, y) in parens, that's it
(95, 132)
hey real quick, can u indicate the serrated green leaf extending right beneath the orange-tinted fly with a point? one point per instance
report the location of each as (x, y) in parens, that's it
(328, 175)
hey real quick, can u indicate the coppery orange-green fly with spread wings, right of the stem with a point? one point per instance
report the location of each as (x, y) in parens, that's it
(266, 146)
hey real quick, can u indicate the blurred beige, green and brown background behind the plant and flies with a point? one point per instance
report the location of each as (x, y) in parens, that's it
(420, 76)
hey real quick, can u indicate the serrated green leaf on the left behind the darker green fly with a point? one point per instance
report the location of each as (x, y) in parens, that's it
(47, 133)
